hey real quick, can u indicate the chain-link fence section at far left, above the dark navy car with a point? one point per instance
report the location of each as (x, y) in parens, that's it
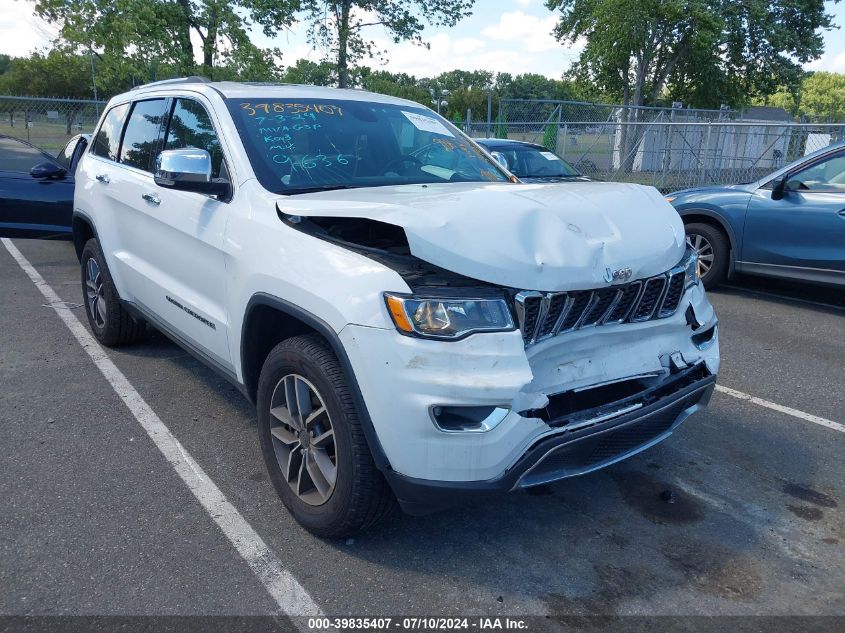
(47, 123)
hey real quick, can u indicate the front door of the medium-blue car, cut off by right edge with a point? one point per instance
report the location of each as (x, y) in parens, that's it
(802, 234)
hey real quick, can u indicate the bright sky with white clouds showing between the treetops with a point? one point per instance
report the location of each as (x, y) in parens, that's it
(502, 36)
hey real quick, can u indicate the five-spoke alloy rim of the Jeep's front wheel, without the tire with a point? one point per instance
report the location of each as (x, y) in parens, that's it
(303, 439)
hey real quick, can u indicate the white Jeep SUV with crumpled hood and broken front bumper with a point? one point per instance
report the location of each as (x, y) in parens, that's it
(411, 321)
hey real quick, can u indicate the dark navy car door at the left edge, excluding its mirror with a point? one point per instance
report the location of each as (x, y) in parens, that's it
(32, 207)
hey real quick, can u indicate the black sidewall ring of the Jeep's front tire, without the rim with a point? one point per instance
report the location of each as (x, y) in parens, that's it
(324, 518)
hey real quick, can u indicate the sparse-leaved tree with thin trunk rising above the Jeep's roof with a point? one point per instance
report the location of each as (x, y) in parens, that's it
(338, 25)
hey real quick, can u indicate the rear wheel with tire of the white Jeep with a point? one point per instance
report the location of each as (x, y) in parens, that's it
(111, 324)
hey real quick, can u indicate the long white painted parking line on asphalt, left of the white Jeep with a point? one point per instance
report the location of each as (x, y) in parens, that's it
(290, 596)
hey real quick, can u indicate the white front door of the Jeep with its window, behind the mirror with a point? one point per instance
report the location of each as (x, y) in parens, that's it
(174, 239)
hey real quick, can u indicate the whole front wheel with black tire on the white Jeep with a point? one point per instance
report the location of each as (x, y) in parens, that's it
(300, 464)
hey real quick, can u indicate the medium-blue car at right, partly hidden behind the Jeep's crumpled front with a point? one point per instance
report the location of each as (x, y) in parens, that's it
(790, 224)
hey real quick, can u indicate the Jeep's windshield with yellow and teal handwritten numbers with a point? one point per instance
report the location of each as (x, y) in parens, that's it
(326, 144)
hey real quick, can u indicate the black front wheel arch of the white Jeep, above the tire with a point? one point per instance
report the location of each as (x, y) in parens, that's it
(269, 320)
